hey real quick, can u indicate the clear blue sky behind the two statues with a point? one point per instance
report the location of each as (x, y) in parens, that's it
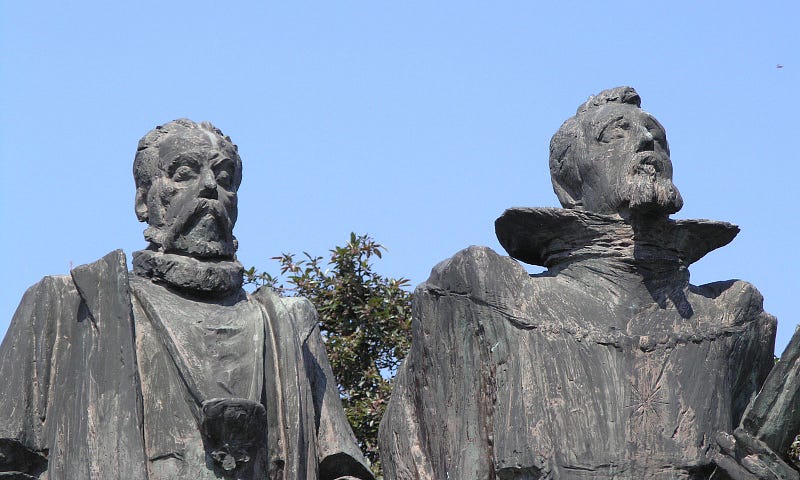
(415, 122)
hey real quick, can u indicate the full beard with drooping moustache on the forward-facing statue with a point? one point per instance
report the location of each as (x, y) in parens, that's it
(202, 229)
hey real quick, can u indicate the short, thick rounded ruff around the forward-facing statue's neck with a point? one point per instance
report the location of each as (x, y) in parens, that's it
(200, 278)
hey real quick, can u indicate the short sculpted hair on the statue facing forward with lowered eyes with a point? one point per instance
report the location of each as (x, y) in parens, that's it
(146, 163)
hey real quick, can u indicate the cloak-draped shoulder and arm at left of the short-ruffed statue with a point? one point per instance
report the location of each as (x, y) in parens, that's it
(68, 377)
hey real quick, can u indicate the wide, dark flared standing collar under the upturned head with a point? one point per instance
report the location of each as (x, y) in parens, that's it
(556, 238)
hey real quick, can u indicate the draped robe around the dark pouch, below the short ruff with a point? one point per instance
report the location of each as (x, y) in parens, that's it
(99, 376)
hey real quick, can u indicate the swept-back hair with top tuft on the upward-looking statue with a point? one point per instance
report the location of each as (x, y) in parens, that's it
(566, 142)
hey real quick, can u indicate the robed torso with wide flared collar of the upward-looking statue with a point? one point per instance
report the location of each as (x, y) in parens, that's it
(609, 365)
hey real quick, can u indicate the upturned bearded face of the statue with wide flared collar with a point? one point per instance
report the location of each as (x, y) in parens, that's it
(625, 163)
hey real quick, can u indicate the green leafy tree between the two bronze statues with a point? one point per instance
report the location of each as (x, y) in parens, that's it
(365, 319)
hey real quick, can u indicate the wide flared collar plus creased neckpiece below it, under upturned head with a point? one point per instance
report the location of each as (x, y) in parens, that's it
(644, 256)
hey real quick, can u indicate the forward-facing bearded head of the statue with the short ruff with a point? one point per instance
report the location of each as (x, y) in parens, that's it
(187, 175)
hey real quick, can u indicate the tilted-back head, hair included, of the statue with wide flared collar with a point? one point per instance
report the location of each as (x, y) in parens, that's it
(613, 157)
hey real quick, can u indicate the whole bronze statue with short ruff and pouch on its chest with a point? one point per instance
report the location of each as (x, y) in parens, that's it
(173, 371)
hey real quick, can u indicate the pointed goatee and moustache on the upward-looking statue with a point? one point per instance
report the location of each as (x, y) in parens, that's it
(647, 186)
